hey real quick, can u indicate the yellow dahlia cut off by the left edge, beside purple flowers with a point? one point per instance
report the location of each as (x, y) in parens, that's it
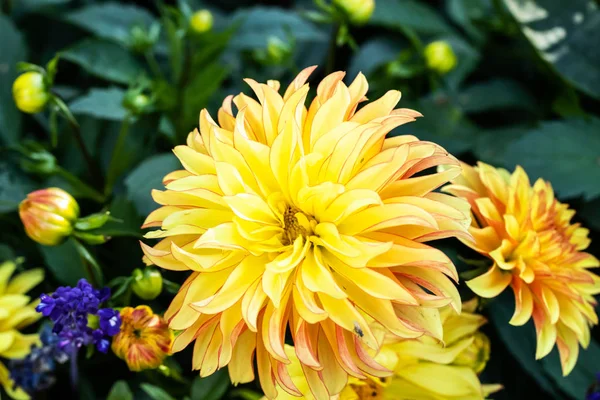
(16, 312)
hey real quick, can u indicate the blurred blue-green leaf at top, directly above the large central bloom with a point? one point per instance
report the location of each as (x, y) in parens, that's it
(259, 23)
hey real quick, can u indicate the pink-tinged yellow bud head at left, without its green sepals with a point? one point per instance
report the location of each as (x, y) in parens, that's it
(48, 215)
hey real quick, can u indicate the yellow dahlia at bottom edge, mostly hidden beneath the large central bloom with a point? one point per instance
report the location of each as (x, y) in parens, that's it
(424, 369)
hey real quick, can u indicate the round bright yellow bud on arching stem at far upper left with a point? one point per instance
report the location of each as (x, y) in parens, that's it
(30, 92)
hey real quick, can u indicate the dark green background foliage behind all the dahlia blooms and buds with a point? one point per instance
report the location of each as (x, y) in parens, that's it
(525, 90)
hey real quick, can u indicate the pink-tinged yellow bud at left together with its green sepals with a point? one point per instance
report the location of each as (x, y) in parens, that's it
(51, 215)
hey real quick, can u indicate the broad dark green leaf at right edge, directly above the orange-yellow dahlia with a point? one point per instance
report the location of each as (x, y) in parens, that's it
(566, 153)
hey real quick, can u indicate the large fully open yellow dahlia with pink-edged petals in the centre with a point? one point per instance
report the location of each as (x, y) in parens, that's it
(307, 221)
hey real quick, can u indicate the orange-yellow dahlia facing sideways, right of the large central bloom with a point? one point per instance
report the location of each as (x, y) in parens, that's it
(537, 251)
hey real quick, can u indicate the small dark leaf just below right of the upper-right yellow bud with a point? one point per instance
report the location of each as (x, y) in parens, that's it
(496, 94)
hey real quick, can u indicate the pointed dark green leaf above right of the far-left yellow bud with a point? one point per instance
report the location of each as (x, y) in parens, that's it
(105, 60)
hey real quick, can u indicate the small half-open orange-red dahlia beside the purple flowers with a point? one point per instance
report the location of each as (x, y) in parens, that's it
(144, 340)
